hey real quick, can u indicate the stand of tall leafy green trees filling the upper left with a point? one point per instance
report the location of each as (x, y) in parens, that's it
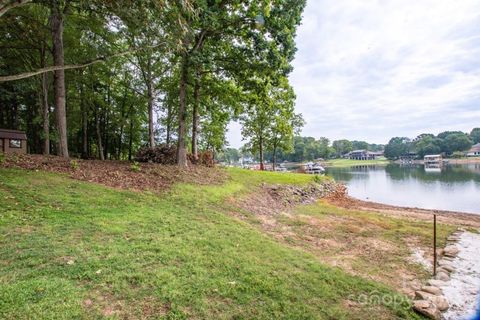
(104, 78)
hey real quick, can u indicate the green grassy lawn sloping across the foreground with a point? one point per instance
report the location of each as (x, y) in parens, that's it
(139, 255)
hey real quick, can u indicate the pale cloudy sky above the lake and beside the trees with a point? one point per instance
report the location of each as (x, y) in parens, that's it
(374, 69)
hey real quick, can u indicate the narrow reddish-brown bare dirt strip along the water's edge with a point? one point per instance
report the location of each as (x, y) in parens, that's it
(443, 216)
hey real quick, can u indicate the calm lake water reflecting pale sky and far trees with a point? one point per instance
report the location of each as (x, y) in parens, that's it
(454, 187)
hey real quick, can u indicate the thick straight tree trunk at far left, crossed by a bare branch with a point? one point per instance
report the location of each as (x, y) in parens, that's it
(59, 77)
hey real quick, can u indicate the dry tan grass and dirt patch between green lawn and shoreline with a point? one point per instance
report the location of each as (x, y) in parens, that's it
(356, 244)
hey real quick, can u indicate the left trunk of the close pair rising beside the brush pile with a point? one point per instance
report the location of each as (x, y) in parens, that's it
(182, 115)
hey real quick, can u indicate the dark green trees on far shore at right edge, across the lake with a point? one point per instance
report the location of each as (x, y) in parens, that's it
(450, 143)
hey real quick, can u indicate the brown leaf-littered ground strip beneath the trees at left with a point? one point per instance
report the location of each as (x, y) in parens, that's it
(119, 174)
